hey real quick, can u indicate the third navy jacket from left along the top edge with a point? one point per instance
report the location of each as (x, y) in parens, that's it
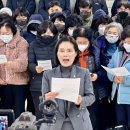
(96, 4)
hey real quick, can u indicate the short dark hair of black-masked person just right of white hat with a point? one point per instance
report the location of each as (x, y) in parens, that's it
(21, 11)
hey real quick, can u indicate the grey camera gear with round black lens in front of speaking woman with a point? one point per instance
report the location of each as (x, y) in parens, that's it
(27, 121)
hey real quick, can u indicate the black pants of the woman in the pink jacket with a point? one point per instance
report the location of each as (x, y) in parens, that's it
(13, 97)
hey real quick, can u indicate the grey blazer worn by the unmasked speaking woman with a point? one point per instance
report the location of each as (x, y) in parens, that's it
(78, 115)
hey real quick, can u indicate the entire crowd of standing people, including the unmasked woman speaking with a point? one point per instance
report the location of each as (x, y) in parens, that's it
(78, 37)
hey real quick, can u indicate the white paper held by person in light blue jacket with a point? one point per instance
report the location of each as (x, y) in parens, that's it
(119, 71)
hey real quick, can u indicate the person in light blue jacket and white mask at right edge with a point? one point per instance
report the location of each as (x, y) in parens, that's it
(121, 84)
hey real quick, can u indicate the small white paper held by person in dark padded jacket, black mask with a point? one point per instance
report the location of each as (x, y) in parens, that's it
(45, 64)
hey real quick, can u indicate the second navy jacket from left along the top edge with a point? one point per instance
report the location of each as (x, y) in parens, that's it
(43, 7)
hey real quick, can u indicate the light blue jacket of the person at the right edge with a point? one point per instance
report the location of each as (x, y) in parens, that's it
(125, 86)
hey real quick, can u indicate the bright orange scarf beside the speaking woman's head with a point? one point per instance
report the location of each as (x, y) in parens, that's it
(82, 60)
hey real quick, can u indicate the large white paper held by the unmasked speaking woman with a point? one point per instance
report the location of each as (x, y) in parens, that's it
(68, 88)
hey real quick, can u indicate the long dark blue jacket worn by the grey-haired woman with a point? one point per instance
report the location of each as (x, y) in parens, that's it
(101, 58)
